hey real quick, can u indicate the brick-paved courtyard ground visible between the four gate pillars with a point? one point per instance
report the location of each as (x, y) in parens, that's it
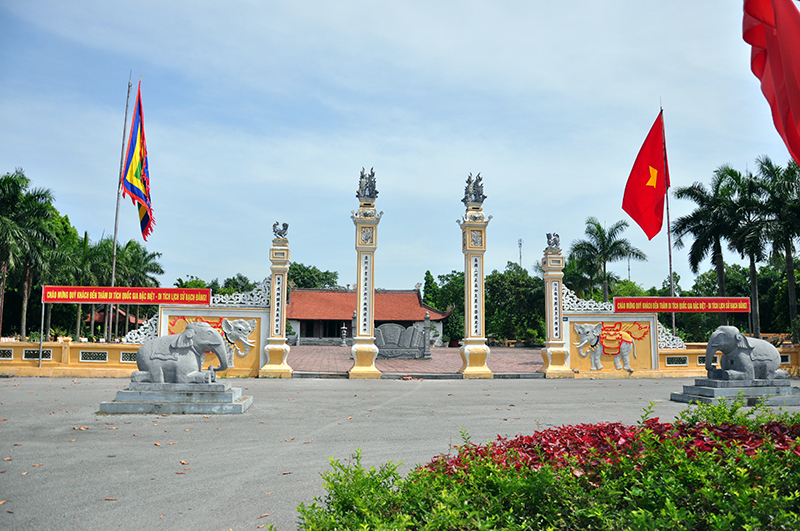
(310, 359)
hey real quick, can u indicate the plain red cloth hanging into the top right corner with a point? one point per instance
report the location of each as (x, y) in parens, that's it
(772, 28)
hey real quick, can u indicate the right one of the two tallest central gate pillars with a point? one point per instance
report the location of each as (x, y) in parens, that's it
(474, 351)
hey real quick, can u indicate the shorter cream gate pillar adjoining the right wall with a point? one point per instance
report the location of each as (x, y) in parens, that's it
(556, 352)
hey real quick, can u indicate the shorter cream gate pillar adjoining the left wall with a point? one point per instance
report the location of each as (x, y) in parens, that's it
(276, 349)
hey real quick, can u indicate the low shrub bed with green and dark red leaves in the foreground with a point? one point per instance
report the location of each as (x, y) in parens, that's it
(718, 467)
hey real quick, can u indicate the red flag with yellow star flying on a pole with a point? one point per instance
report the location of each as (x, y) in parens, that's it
(648, 183)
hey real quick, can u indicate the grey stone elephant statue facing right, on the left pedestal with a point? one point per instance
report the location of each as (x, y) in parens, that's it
(179, 358)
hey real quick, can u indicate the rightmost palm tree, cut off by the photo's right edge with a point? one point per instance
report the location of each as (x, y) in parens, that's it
(782, 203)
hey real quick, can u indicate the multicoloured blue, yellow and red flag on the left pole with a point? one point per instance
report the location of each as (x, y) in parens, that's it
(136, 176)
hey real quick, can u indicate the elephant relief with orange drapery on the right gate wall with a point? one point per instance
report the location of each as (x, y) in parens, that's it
(599, 339)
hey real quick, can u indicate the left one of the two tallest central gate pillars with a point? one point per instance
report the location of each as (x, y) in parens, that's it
(366, 220)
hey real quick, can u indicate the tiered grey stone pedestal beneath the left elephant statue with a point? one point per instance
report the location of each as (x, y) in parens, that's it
(178, 398)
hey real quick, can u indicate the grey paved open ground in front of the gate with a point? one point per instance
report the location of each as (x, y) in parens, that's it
(69, 468)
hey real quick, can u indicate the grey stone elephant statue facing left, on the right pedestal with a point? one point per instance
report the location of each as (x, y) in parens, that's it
(743, 358)
